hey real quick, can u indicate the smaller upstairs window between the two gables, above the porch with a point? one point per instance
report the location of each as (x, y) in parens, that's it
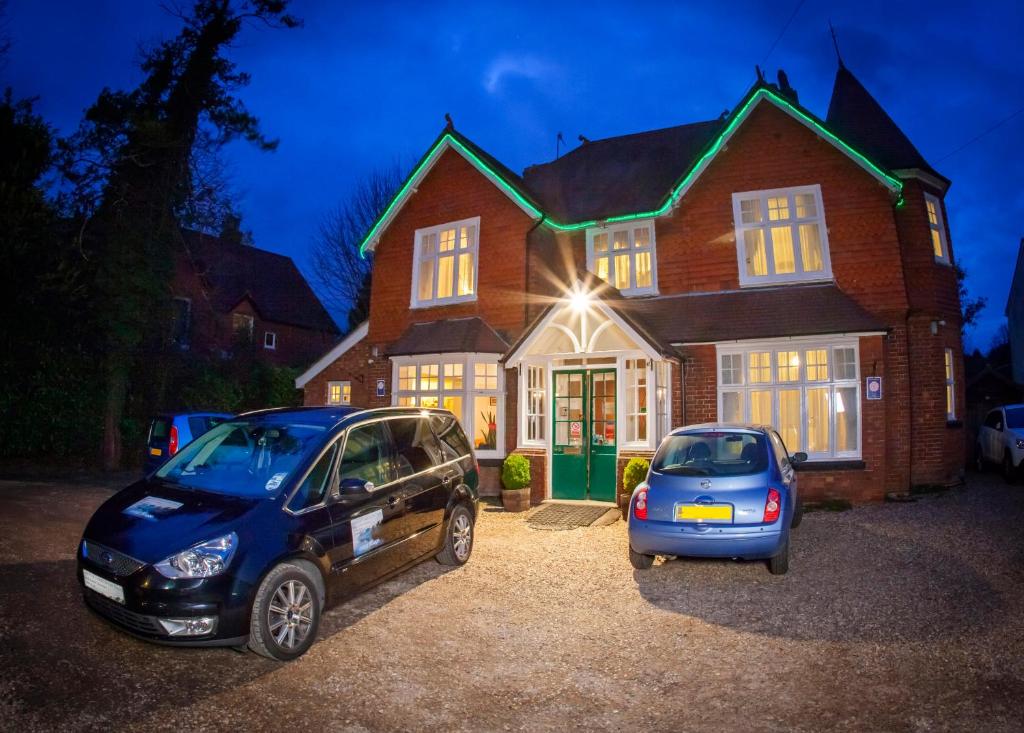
(625, 257)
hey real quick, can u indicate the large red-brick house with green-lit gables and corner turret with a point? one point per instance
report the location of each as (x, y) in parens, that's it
(770, 267)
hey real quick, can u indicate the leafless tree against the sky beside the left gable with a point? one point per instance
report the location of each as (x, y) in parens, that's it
(342, 273)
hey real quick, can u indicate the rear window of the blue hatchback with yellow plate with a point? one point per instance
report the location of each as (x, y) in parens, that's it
(712, 454)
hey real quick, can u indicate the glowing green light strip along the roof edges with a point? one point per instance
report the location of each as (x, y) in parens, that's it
(695, 171)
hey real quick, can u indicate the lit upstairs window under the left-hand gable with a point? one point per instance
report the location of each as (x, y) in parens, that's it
(446, 264)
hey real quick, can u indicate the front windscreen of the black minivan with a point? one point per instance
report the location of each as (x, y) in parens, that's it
(243, 458)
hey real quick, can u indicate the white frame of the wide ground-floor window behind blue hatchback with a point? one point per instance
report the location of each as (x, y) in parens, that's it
(803, 384)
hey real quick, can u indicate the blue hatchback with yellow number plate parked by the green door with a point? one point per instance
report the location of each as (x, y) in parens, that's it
(717, 491)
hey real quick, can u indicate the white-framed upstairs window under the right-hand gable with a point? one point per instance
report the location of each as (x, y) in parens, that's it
(782, 236)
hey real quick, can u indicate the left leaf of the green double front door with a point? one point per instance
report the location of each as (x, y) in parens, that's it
(569, 453)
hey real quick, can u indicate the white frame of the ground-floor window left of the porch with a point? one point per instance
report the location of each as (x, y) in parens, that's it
(467, 393)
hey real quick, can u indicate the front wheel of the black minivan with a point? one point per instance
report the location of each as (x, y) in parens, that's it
(277, 629)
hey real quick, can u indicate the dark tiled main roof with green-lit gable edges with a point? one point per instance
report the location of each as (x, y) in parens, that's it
(546, 191)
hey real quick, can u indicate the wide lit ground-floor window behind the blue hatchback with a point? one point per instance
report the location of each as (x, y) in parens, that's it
(809, 392)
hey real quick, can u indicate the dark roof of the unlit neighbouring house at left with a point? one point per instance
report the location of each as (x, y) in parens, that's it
(234, 272)
